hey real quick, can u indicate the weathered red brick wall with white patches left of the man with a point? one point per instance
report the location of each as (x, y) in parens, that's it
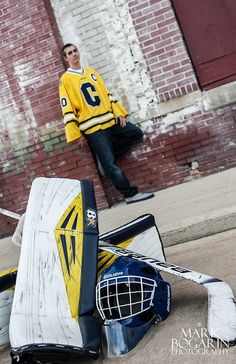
(32, 136)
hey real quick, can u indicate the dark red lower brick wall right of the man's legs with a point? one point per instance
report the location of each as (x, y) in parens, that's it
(165, 158)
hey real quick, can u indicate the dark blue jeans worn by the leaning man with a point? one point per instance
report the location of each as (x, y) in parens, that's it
(111, 143)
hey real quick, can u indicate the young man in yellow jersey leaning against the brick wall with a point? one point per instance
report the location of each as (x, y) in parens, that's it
(92, 115)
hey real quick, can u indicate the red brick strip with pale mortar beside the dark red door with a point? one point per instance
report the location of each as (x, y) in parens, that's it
(163, 48)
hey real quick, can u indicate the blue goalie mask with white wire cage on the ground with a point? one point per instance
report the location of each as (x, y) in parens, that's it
(131, 296)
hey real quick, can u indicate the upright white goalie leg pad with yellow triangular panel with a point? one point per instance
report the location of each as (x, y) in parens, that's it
(50, 288)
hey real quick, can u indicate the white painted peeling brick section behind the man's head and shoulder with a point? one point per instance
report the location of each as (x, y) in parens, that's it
(104, 33)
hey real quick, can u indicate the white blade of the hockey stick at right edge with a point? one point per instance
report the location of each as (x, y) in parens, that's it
(221, 312)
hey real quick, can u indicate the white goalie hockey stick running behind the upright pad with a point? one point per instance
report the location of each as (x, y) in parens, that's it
(221, 301)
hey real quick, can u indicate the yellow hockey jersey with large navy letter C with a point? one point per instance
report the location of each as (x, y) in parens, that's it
(86, 103)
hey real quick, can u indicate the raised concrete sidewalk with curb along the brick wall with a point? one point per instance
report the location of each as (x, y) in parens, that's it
(189, 211)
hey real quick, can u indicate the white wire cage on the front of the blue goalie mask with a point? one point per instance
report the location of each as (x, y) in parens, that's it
(123, 297)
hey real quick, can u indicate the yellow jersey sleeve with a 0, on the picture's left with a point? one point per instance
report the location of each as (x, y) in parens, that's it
(72, 130)
